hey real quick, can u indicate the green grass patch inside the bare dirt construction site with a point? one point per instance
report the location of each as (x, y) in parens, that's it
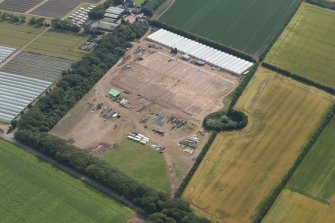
(141, 163)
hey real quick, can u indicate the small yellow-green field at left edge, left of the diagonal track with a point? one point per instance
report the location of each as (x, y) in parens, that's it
(17, 35)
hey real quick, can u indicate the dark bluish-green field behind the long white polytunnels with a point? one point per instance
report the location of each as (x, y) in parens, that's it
(244, 25)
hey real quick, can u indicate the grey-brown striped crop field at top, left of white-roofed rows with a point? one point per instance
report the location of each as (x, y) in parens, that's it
(56, 8)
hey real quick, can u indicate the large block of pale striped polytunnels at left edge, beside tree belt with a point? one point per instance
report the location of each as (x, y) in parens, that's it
(16, 93)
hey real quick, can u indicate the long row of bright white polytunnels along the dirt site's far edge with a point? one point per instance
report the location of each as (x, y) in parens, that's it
(201, 52)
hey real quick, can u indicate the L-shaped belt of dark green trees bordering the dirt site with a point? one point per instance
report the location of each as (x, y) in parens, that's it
(34, 125)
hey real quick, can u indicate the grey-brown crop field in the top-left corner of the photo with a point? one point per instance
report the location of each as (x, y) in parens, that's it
(18, 5)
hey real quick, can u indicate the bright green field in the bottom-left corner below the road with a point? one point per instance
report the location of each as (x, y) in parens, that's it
(34, 191)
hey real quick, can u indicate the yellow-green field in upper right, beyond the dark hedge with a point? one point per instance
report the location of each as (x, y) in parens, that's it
(306, 47)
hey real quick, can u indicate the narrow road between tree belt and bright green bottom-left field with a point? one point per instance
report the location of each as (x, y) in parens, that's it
(10, 138)
